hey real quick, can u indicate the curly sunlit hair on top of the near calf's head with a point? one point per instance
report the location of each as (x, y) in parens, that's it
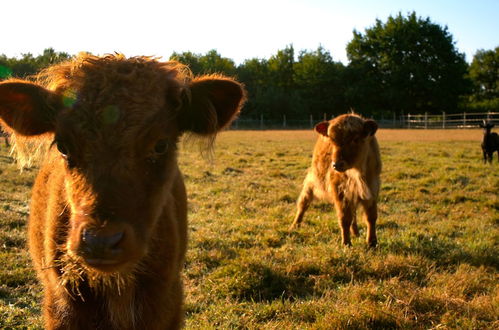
(113, 87)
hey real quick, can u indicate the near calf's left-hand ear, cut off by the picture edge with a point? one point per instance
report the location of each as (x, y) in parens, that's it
(28, 109)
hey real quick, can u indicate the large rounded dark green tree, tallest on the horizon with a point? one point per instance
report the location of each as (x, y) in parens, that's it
(406, 64)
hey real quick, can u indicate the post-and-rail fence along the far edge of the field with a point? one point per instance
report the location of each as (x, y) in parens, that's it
(423, 121)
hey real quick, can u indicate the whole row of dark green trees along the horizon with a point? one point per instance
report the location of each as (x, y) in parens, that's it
(407, 64)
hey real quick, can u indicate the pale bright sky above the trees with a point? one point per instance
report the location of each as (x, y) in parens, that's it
(239, 30)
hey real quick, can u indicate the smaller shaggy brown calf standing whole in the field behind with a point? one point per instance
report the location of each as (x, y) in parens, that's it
(345, 170)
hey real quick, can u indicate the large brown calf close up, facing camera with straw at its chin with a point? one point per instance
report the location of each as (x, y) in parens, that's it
(107, 229)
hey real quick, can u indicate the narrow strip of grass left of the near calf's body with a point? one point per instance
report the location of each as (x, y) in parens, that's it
(20, 293)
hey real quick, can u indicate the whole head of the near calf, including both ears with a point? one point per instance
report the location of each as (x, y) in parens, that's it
(116, 145)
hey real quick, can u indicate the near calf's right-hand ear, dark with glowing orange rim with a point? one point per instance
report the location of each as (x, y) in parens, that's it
(214, 102)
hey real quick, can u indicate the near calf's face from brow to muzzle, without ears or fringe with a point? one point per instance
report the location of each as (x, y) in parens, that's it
(118, 172)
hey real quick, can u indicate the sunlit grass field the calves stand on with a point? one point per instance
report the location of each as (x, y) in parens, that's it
(436, 266)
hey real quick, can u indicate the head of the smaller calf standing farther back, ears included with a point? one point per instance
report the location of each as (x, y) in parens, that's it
(348, 136)
